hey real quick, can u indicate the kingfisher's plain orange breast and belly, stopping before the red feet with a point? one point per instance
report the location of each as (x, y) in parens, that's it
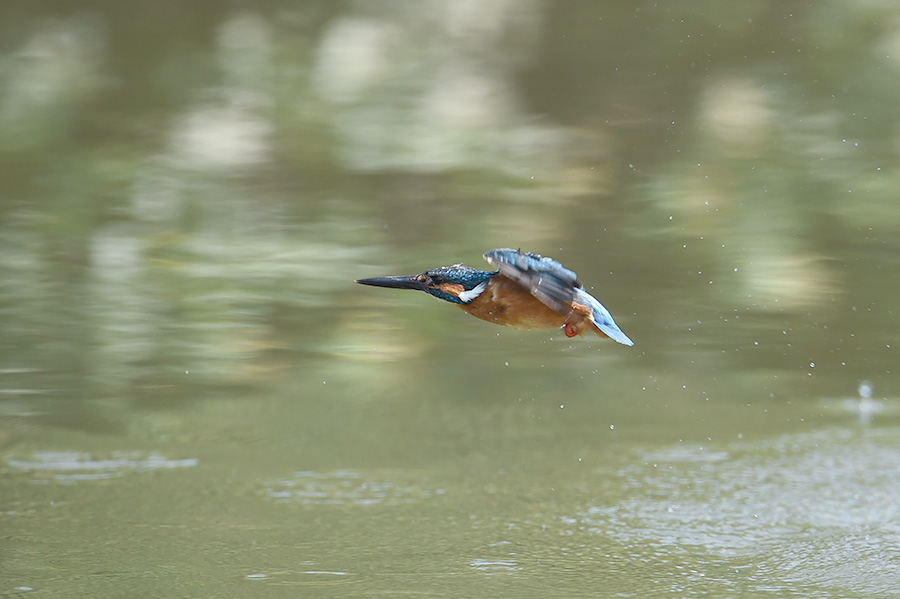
(508, 303)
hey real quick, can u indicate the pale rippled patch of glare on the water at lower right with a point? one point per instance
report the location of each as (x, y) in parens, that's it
(806, 505)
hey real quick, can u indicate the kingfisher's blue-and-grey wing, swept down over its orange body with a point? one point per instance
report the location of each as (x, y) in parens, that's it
(545, 278)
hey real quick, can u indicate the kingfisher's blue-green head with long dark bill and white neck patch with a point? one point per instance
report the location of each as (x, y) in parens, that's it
(458, 284)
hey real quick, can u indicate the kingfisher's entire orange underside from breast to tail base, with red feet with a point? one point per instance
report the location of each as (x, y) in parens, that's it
(507, 303)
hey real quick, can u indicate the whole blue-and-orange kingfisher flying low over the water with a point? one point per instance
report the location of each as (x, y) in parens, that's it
(527, 291)
